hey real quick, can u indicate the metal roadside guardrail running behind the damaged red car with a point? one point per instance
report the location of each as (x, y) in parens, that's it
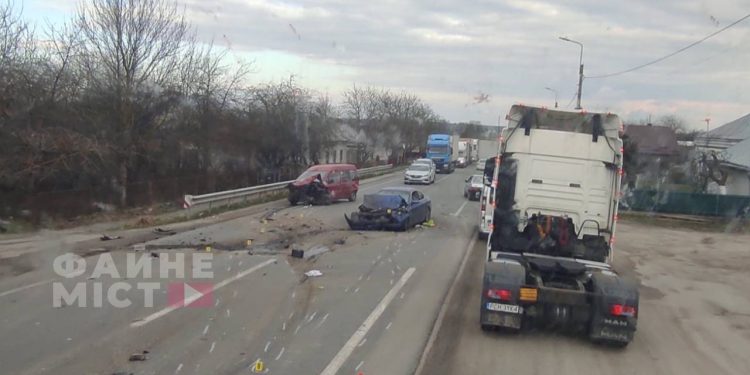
(226, 197)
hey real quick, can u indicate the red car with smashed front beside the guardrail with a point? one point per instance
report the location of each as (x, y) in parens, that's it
(325, 183)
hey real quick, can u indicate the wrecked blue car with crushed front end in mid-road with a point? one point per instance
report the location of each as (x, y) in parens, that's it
(395, 208)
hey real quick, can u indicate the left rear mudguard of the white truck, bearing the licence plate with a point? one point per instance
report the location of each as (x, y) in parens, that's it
(500, 295)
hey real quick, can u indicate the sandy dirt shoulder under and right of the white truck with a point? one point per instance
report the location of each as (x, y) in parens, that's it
(694, 315)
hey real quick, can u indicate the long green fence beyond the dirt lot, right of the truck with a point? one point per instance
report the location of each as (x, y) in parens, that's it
(685, 203)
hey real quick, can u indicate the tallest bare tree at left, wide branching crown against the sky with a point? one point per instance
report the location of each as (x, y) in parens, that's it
(130, 47)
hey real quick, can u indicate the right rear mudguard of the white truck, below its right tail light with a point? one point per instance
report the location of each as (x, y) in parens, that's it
(614, 310)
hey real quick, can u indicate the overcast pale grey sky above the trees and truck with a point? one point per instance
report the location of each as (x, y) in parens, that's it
(450, 52)
